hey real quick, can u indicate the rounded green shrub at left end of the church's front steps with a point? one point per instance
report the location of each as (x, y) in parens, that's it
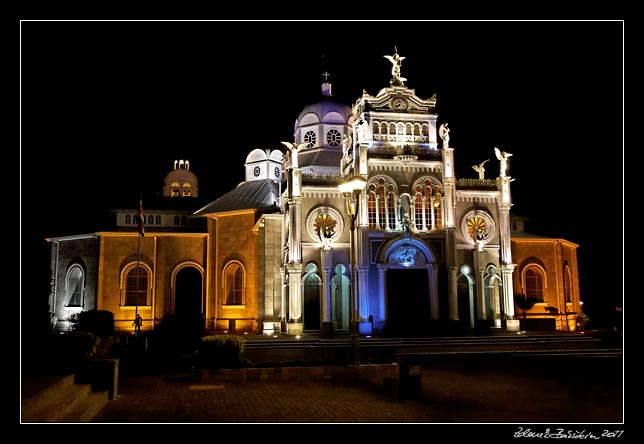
(219, 351)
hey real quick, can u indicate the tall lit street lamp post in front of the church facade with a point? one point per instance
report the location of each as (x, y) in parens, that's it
(351, 190)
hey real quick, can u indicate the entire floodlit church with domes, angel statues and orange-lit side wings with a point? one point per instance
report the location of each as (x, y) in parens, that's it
(409, 250)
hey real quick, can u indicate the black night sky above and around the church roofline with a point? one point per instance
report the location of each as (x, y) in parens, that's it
(107, 106)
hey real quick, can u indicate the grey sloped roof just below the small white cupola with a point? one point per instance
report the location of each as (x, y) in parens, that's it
(253, 195)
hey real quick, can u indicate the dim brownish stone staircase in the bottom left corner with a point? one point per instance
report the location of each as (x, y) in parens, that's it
(59, 399)
